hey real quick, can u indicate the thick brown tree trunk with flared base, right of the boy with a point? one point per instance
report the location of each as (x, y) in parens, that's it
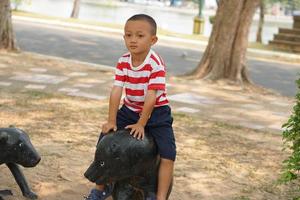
(225, 55)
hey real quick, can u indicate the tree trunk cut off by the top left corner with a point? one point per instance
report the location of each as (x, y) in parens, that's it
(7, 37)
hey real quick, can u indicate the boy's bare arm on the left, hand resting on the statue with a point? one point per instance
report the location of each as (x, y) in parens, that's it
(114, 103)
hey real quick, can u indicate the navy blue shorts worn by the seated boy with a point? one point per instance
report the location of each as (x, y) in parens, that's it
(159, 126)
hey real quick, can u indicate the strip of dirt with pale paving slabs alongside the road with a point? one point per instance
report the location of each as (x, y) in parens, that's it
(230, 104)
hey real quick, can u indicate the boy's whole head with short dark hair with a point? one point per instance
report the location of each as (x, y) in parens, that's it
(140, 34)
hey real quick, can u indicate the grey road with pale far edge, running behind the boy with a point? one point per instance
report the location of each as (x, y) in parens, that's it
(102, 45)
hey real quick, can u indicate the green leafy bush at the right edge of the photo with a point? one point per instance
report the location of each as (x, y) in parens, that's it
(291, 137)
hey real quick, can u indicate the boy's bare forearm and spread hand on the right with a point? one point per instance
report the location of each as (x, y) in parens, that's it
(137, 130)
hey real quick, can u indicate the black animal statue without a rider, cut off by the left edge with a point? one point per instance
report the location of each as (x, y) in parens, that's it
(16, 149)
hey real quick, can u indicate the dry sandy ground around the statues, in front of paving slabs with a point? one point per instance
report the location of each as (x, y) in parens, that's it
(215, 160)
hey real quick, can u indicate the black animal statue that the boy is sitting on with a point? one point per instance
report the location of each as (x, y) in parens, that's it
(131, 164)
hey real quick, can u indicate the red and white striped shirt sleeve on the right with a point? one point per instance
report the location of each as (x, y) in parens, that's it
(157, 79)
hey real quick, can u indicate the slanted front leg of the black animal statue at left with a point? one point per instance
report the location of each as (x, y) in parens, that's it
(21, 181)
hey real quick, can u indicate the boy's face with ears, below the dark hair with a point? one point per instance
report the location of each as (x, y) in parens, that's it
(139, 37)
